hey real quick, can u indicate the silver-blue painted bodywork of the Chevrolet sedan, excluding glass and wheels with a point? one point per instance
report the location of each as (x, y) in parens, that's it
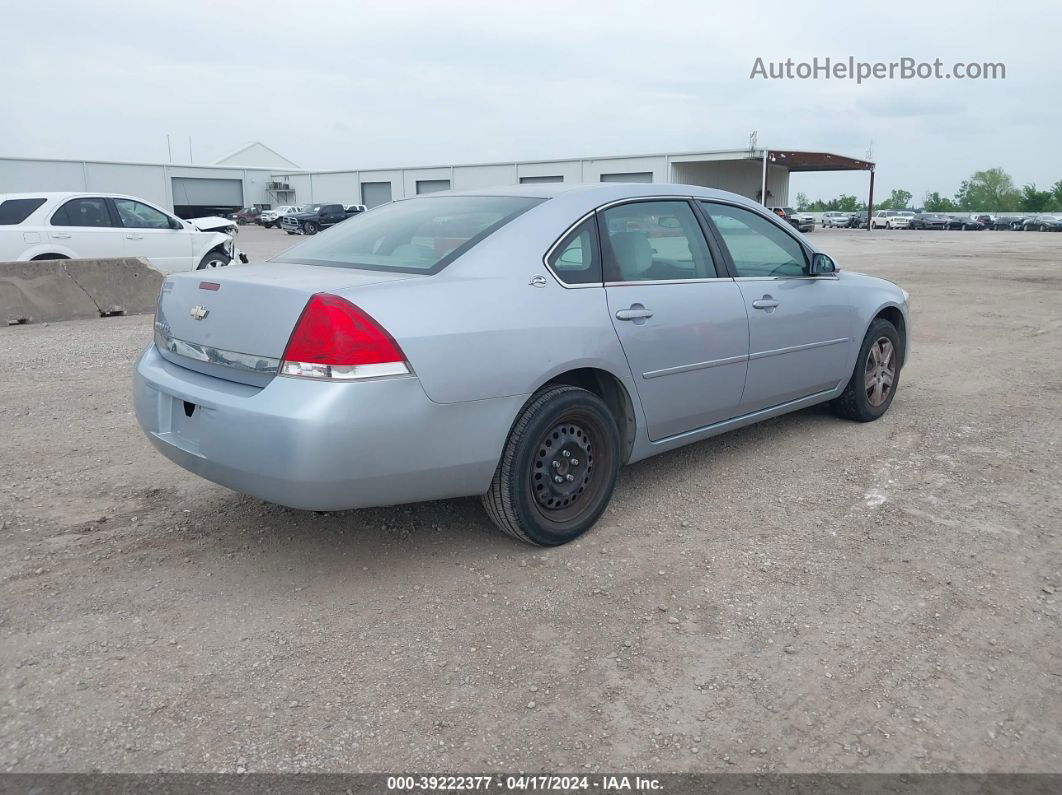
(482, 341)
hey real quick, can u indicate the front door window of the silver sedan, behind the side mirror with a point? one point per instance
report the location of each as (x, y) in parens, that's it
(758, 247)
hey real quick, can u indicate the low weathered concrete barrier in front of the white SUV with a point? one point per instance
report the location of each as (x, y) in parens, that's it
(74, 289)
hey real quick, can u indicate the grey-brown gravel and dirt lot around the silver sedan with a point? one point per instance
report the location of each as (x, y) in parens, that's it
(807, 595)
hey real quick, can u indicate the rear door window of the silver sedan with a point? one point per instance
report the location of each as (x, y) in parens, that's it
(655, 241)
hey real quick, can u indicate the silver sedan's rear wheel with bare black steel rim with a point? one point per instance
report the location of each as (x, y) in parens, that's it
(556, 426)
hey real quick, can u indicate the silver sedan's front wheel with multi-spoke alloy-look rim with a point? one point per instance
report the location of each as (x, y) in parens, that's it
(877, 376)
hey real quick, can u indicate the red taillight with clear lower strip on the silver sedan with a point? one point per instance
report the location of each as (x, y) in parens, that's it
(335, 339)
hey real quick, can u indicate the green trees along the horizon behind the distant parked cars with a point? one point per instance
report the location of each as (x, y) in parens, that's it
(987, 192)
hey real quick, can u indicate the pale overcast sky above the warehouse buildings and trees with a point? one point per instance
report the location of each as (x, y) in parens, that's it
(392, 83)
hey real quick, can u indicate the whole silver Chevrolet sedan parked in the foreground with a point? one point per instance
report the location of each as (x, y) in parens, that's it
(562, 335)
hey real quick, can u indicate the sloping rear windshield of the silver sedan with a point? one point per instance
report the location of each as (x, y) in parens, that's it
(414, 236)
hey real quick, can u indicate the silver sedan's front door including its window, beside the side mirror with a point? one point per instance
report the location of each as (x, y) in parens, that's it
(800, 326)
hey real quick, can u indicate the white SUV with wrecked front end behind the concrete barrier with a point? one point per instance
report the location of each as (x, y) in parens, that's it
(39, 227)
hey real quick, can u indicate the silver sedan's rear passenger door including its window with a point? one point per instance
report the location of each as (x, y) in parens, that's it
(682, 323)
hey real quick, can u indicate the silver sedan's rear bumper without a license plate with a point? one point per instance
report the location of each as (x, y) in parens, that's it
(322, 446)
